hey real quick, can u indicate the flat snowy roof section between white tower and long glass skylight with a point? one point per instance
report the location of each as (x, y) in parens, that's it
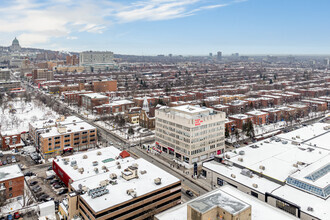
(278, 159)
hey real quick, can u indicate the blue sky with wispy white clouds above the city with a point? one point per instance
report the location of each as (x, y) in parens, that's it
(150, 27)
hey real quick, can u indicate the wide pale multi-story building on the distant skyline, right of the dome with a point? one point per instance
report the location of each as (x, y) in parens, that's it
(96, 59)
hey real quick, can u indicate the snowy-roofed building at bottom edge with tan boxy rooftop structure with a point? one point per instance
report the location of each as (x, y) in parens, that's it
(224, 203)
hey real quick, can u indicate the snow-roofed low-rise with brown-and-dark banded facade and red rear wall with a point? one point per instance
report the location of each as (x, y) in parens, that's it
(107, 184)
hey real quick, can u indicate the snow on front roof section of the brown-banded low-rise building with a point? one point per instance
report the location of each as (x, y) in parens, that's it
(117, 193)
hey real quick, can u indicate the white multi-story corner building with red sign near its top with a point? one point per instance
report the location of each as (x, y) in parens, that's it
(190, 133)
